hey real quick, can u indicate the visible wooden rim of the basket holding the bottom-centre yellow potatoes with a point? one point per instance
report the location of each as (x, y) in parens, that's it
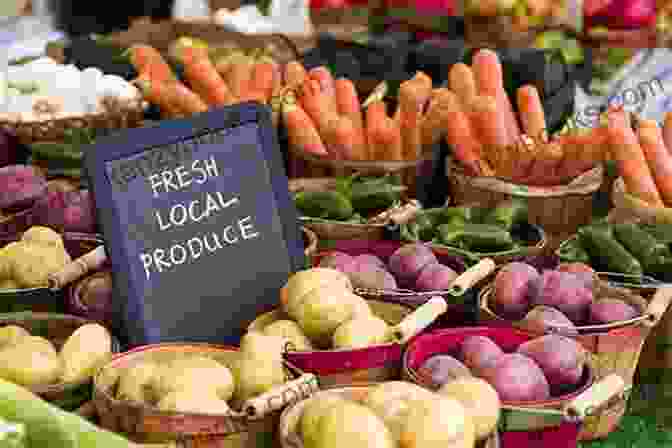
(290, 418)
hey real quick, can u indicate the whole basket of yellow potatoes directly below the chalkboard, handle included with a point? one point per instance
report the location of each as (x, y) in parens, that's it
(198, 392)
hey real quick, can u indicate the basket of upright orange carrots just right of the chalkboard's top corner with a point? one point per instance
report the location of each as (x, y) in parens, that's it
(330, 133)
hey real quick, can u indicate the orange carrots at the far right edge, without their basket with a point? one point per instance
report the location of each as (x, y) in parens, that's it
(643, 156)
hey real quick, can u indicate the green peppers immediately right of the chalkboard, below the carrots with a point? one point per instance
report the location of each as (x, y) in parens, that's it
(353, 200)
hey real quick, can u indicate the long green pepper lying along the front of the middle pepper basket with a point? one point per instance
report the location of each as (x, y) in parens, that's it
(475, 237)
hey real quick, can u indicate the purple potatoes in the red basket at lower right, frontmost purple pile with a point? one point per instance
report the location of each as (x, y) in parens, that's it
(539, 369)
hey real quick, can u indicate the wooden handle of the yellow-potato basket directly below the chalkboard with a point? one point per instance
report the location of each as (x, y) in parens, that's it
(280, 396)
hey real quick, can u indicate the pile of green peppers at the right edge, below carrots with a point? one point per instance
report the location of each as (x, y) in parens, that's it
(630, 249)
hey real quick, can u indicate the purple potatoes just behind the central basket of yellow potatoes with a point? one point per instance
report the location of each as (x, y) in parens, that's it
(412, 266)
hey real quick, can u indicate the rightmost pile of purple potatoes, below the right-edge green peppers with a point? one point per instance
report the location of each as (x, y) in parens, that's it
(555, 300)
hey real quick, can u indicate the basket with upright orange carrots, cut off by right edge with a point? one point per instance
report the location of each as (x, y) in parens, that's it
(644, 160)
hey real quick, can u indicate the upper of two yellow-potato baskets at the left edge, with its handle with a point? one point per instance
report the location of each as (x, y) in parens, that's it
(28, 259)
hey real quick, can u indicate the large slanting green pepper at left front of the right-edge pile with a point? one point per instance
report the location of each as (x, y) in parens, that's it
(603, 247)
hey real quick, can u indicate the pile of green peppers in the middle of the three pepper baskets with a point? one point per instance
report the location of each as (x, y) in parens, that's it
(474, 229)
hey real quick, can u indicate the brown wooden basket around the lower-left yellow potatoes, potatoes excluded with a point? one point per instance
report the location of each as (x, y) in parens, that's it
(56, 328)
